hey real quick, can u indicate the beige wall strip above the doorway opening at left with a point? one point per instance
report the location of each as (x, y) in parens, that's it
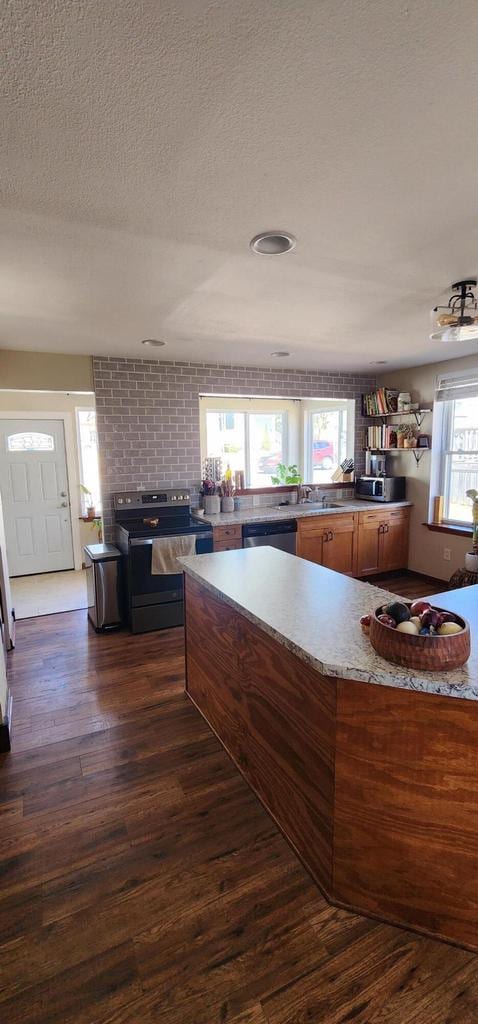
(46, 371)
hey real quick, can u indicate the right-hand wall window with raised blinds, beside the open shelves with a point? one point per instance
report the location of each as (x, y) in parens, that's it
(459, 457)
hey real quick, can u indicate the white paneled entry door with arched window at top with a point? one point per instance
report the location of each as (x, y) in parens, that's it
(35, 493)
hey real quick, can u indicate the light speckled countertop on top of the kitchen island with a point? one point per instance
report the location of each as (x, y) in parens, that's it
(316, 614)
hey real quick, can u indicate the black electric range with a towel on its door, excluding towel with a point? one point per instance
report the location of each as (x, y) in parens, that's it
(155, 603)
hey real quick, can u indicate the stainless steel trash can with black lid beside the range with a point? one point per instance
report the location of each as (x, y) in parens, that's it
(104, 582)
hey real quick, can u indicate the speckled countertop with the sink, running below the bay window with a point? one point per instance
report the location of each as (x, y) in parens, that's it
(269, 514)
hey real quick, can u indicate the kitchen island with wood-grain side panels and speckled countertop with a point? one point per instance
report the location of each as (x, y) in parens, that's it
(370, 771)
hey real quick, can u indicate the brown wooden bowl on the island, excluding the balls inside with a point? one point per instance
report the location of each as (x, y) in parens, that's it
(431, 654)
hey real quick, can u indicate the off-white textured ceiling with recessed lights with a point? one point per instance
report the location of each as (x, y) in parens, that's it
(149, 141)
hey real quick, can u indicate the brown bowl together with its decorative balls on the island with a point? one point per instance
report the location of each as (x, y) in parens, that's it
(418, 635)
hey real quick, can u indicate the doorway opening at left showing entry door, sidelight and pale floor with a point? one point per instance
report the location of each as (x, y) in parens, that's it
(51, 497)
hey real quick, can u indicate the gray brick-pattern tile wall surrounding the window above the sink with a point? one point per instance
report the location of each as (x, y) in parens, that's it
(149, 416)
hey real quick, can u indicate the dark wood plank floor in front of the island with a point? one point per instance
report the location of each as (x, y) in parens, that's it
(142, 882)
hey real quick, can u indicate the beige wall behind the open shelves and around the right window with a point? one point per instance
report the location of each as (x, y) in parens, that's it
(426, 550)
